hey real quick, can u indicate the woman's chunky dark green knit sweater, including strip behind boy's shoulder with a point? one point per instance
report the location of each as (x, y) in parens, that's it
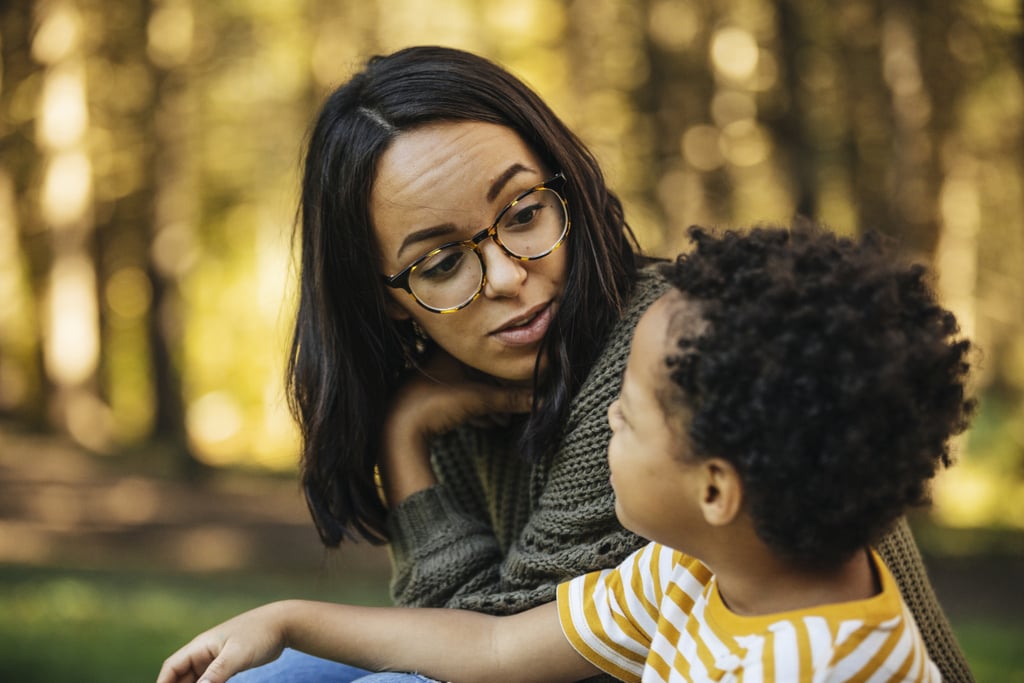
(498, 534)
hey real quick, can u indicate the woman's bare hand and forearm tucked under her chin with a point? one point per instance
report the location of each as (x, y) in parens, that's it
(436, 400)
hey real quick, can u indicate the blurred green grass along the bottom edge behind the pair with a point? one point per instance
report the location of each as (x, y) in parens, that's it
(114, 627)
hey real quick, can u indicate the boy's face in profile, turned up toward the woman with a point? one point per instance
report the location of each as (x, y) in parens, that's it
(650, 455)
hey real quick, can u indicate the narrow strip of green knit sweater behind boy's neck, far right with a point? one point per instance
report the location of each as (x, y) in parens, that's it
(902, 557)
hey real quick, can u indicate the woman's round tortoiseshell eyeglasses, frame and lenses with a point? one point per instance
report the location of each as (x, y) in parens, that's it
(451, 277)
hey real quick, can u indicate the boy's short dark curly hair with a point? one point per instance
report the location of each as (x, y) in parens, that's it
(828, 375)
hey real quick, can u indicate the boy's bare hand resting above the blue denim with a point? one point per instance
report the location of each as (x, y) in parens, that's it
(249, 641)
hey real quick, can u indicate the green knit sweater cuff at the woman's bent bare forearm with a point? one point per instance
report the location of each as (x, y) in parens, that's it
(421, 519)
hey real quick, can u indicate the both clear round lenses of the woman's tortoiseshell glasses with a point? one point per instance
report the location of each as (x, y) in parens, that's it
(531, 229)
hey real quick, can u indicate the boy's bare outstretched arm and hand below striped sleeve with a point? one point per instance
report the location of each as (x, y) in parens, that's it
(446, 645)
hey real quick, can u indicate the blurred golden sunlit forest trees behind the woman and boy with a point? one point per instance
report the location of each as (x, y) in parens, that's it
(149, 163)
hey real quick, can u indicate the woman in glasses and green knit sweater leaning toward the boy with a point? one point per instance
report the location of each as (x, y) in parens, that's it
(470, 288)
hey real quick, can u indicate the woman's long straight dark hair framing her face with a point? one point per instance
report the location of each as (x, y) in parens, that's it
(348, 357)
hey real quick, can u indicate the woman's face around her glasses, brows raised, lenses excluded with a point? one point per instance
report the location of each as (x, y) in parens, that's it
(445, 183)
